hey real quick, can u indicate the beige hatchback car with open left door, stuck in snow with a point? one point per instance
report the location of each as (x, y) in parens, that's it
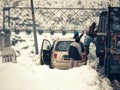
(56, 55)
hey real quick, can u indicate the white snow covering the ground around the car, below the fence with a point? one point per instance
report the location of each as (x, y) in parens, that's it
(28, 74)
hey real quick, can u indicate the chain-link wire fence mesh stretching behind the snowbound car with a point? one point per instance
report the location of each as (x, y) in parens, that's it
(50, 19)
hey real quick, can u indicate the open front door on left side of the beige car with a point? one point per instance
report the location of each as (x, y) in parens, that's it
(45, 53)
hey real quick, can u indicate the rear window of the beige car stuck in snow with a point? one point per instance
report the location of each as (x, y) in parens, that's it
(63, 45)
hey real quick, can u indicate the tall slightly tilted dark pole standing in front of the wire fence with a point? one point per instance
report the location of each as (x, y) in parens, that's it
(34, 28)
